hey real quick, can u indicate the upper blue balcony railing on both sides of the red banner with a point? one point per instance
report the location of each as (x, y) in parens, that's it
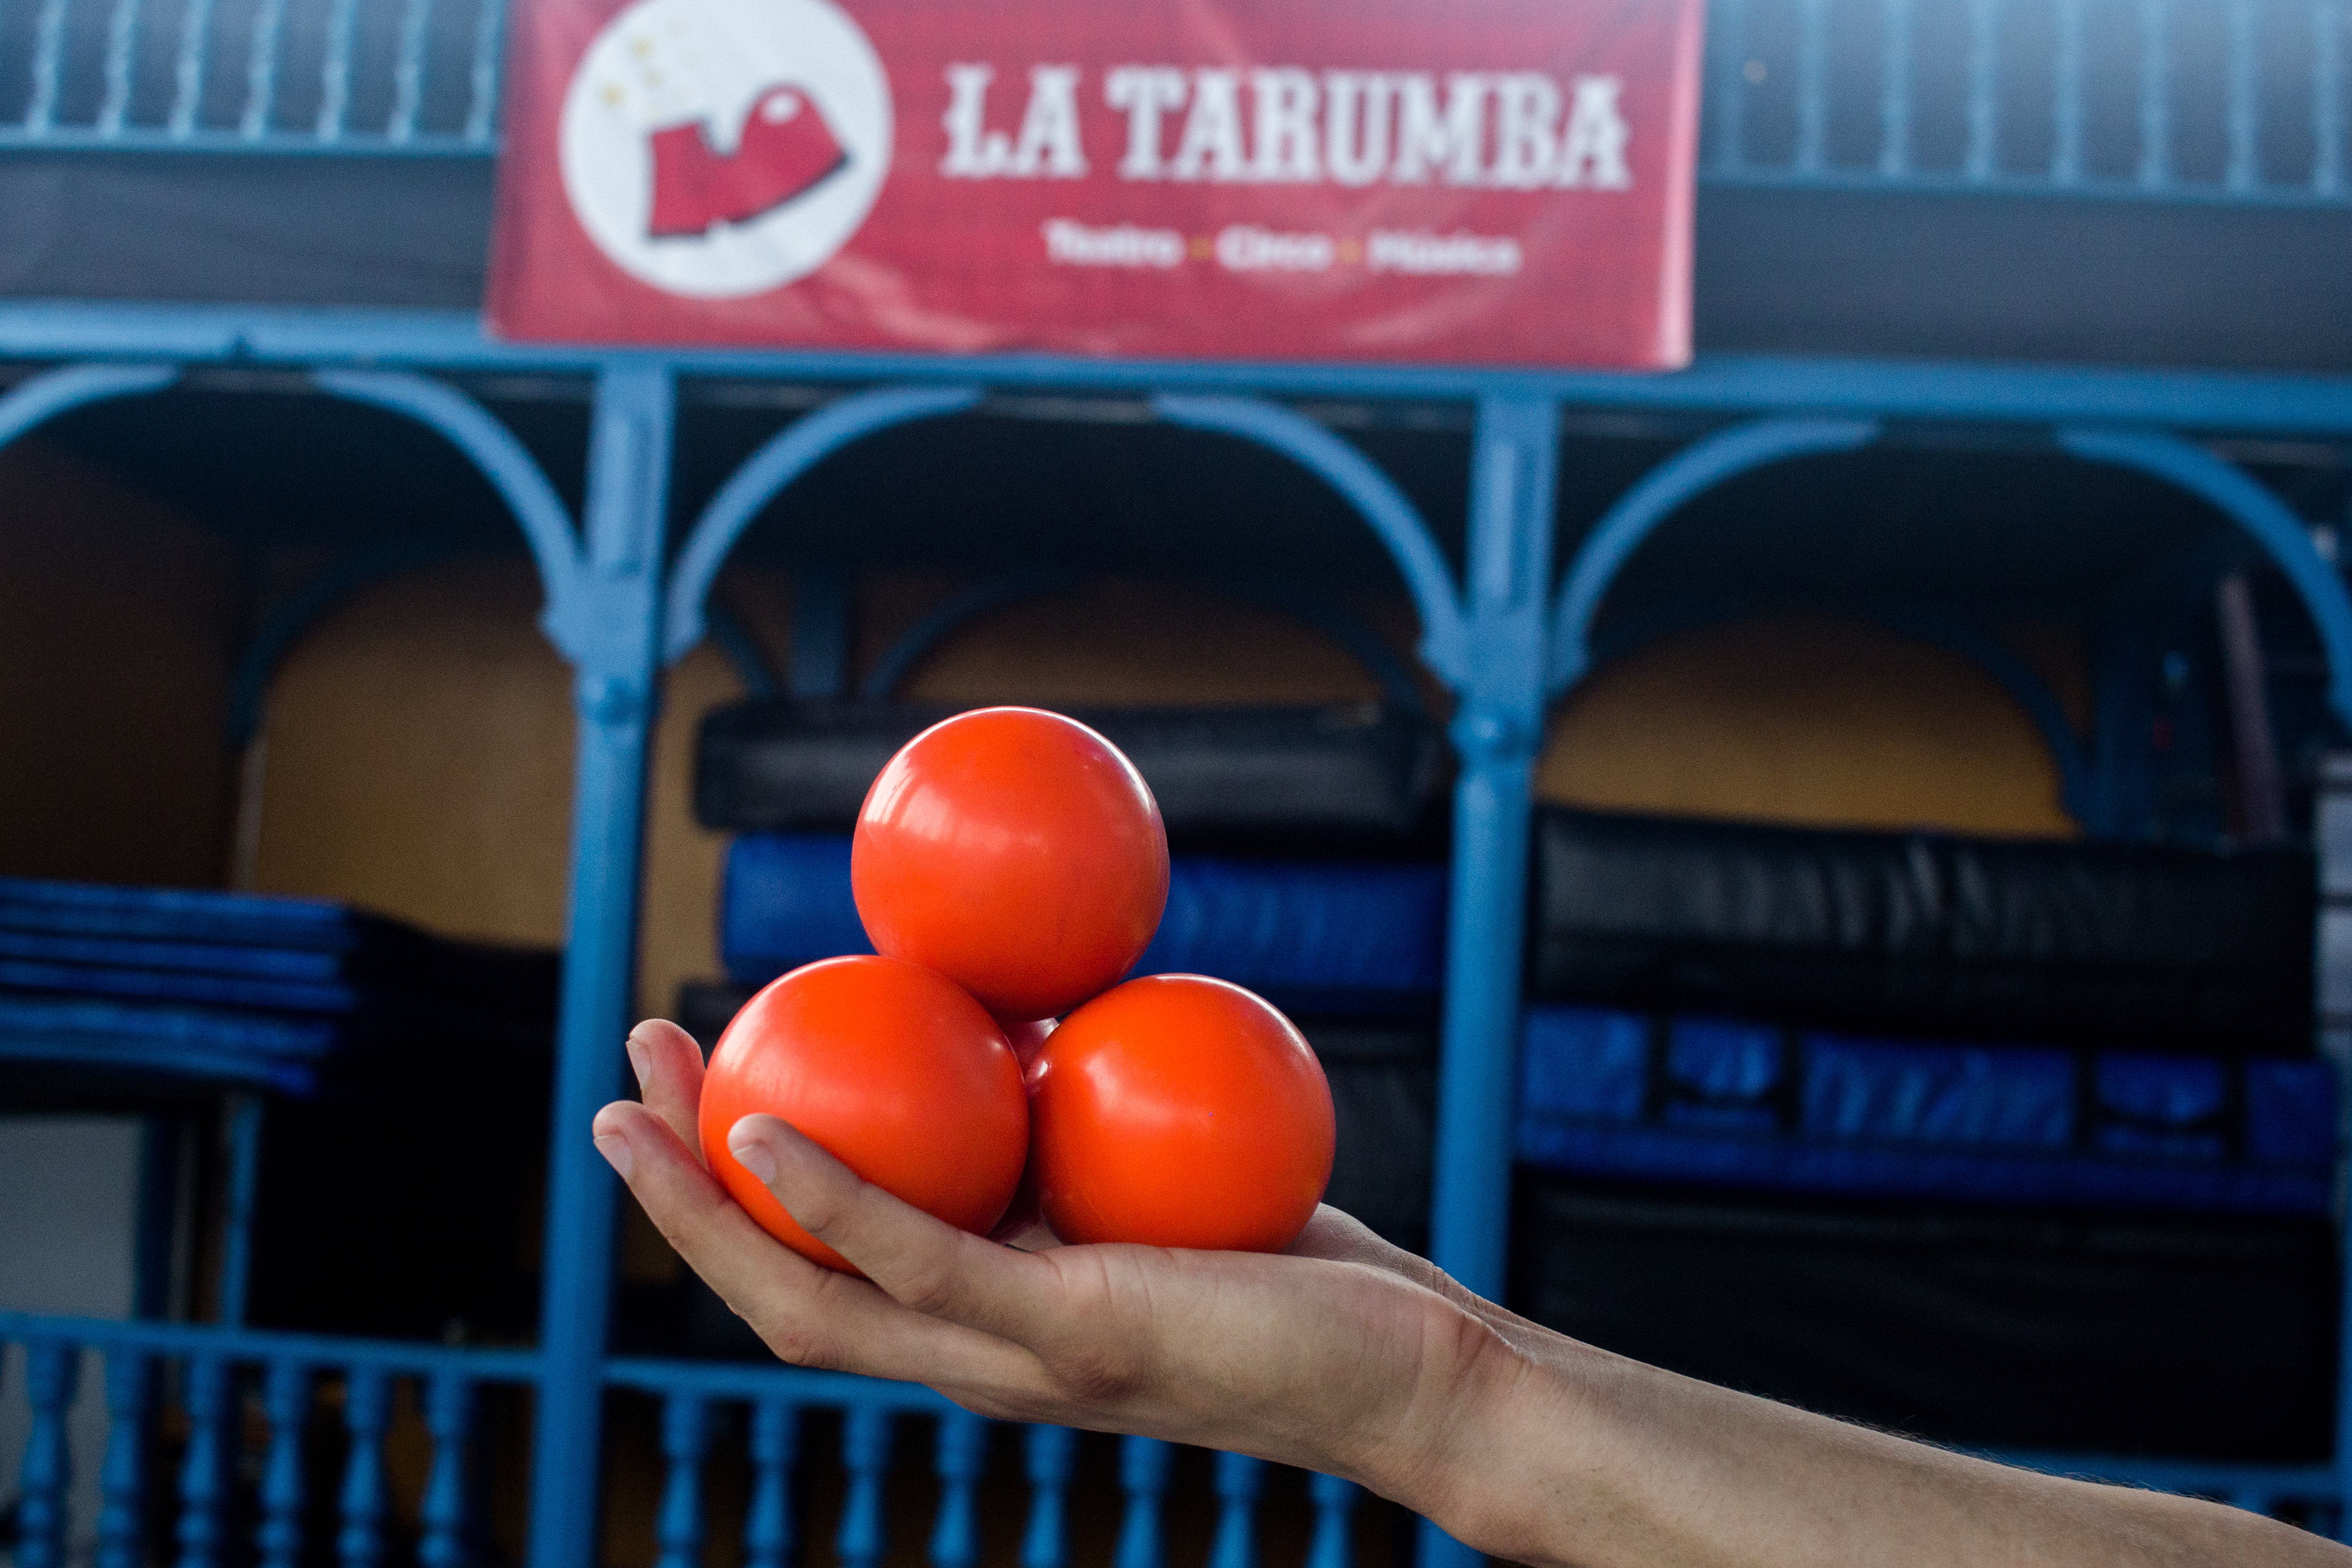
(2158, 100)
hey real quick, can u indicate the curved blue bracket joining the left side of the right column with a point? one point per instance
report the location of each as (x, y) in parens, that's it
(1445, 643)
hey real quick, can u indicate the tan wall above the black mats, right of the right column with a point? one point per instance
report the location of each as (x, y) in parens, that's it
(1812, 721)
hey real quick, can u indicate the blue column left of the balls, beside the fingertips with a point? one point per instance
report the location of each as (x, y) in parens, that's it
(613, 622)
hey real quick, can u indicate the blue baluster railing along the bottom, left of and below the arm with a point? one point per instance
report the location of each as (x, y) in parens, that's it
(250, 1405)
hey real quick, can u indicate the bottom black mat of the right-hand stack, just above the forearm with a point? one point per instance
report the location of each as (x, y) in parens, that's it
(2186, 1339)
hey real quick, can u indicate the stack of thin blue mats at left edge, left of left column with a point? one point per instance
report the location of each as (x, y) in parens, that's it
(288, 996)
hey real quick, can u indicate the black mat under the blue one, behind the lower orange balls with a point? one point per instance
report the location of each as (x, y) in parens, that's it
(1384, 1094)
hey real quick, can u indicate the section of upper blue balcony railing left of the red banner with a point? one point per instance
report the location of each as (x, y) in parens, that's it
(253, 76)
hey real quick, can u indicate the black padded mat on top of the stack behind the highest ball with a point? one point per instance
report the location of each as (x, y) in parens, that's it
(1354, 772)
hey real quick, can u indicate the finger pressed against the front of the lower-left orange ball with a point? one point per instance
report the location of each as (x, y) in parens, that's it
(918, 1259)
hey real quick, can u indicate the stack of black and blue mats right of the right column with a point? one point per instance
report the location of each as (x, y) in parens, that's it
(1949, 1134)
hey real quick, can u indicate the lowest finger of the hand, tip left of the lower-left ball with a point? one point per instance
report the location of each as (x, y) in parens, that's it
(806, 1313)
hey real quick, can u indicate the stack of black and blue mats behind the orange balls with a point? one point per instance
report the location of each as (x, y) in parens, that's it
(1349, 942)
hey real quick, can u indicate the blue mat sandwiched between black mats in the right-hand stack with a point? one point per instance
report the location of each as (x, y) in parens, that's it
(1746, 1106)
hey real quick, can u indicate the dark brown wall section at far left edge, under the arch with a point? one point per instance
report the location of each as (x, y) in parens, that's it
(119, 622)
